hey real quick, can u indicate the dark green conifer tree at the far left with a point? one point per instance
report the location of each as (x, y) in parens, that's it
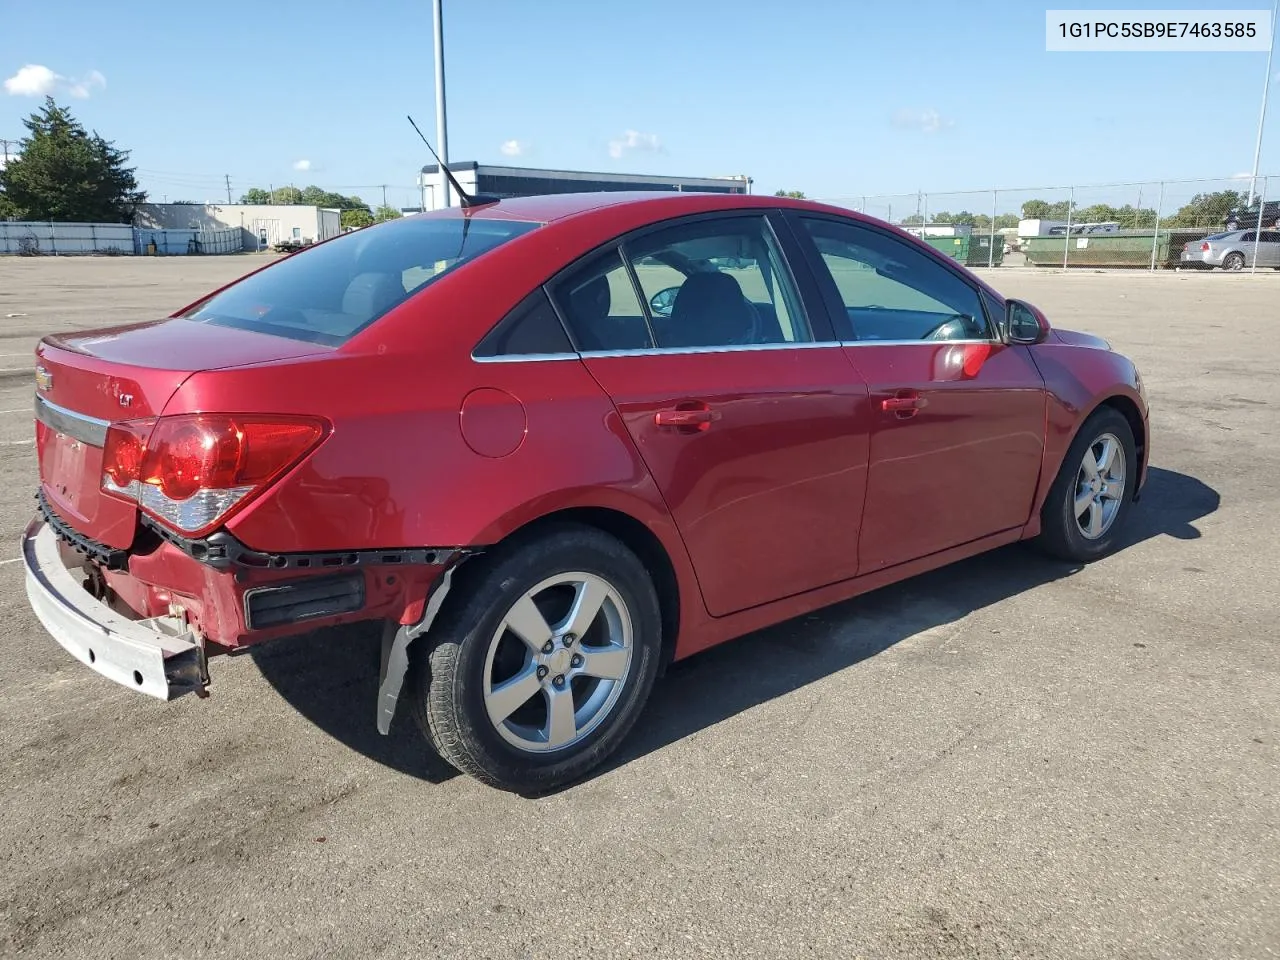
(68, 175)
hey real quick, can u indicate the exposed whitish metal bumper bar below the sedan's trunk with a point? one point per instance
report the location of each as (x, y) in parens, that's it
(158, 657)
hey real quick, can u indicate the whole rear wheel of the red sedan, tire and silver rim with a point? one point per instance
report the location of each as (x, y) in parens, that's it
(541, 670)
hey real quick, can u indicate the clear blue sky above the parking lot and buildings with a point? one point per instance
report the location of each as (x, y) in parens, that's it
(831, 99)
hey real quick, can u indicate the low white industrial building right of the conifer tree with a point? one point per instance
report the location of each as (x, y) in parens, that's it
(260, 225)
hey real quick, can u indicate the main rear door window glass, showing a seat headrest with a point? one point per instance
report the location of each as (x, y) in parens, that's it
(717, 284)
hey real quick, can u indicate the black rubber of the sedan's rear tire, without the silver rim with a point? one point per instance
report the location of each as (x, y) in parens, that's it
(573, 550)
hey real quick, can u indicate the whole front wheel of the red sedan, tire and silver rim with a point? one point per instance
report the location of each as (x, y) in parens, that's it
(1091, 497)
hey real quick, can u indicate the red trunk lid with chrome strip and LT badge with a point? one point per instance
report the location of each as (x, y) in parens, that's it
(88, 381)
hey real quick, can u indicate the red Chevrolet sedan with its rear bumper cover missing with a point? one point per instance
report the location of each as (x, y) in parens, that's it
(554, 445)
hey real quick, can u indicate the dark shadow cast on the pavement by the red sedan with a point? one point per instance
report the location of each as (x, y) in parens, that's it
(333, 682)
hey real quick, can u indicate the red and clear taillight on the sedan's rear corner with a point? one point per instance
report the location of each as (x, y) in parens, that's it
(194, 472)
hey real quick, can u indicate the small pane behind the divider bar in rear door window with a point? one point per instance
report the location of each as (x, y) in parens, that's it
(600, 304)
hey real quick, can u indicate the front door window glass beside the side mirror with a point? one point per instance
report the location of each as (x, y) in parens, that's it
(893, 292)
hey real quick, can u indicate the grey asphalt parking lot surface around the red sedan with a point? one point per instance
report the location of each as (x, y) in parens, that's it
(1009, 758)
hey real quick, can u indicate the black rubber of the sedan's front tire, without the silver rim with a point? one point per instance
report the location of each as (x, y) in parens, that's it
(1060, 525)
